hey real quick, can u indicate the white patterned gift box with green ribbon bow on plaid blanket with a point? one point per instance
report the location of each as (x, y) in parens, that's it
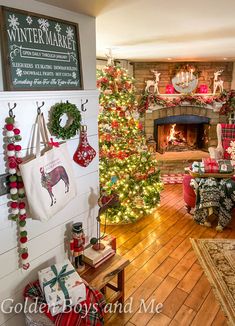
(62, 286)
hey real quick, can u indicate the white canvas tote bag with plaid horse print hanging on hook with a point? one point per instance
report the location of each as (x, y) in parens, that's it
(48, 176)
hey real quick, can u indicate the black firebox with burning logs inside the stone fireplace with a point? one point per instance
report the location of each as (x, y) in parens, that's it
(181, 133)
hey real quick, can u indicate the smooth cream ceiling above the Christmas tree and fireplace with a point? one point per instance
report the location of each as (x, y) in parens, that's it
(161, 30)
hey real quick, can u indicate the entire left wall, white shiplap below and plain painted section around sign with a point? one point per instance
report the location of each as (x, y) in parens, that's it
(48, 241)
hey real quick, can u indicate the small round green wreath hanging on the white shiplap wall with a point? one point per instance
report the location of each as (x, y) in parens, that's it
(73, 124)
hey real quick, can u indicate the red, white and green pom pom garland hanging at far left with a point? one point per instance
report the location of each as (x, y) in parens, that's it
(17, 204)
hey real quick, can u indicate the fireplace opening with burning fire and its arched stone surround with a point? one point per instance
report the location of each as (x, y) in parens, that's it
(182, 128)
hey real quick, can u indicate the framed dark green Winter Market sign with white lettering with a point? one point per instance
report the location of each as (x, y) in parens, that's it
(39, 52)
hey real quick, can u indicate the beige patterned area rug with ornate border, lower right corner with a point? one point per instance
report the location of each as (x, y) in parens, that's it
(217, 258)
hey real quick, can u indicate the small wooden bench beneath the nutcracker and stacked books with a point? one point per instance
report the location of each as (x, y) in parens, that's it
(100, 277)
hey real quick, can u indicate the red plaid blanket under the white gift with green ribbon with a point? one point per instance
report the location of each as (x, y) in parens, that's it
(87, 313)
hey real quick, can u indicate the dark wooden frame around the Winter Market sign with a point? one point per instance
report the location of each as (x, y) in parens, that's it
(7, 68)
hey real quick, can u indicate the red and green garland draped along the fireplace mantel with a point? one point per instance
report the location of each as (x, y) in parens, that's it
(148, 100)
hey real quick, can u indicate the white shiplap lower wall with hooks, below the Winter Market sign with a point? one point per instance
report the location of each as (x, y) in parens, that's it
(47, 241)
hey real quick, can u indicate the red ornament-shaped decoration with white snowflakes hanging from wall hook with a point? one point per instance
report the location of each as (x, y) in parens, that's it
(84, 153)
